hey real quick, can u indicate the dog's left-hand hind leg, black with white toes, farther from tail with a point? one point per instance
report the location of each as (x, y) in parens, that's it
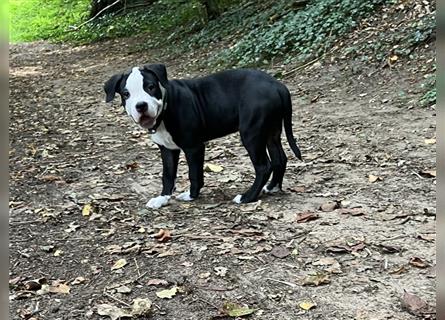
(256, 147)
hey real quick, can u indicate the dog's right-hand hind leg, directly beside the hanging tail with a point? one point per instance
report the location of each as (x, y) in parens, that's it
(279, 161)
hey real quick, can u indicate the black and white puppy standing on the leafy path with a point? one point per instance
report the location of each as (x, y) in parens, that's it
(184, 114)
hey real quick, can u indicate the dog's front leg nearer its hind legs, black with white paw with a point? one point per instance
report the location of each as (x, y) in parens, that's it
(195, 161)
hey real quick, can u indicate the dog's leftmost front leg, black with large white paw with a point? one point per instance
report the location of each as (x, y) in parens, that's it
(170, 160)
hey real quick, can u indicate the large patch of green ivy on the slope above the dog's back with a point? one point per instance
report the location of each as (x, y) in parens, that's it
(304, 33)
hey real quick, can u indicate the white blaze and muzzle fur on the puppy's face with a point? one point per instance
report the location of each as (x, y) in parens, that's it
(135, 86)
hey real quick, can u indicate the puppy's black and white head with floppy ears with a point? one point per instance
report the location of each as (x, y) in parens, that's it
(142, 91)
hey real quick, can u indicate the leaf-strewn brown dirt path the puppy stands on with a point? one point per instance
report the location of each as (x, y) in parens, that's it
(69, 149)
